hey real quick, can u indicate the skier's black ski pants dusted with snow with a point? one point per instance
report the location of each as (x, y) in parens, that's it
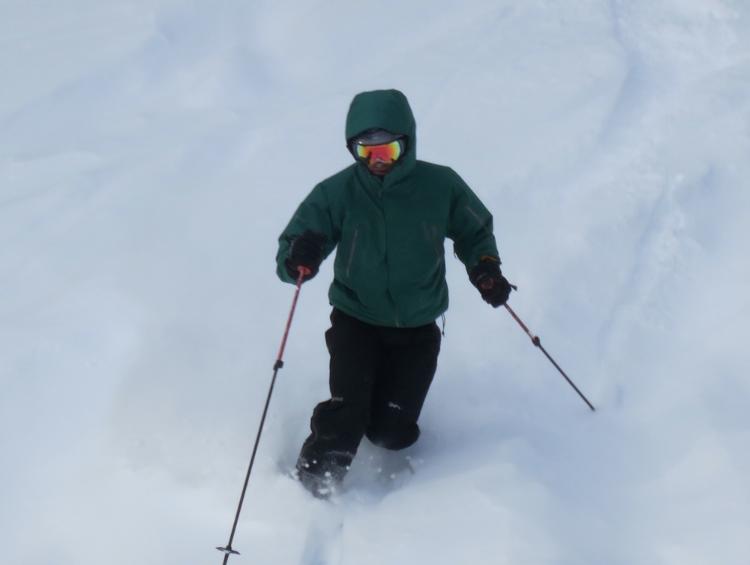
(379, 378)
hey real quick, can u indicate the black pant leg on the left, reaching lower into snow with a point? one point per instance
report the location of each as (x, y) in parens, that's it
(338, 424)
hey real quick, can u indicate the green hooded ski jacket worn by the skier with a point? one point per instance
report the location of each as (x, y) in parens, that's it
(390, 265)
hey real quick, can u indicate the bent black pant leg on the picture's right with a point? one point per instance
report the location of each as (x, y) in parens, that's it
(410, 361)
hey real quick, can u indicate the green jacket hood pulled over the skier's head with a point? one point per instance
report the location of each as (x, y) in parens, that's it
(388, 110)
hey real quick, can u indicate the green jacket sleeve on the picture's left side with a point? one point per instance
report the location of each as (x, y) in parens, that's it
(313, 214)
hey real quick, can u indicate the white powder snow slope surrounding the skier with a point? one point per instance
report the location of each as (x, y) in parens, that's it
(151, 151)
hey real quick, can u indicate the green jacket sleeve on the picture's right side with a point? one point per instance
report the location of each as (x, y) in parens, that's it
(470, 226)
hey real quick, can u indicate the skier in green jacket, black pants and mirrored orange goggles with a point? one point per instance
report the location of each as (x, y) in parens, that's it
(387, 215)
